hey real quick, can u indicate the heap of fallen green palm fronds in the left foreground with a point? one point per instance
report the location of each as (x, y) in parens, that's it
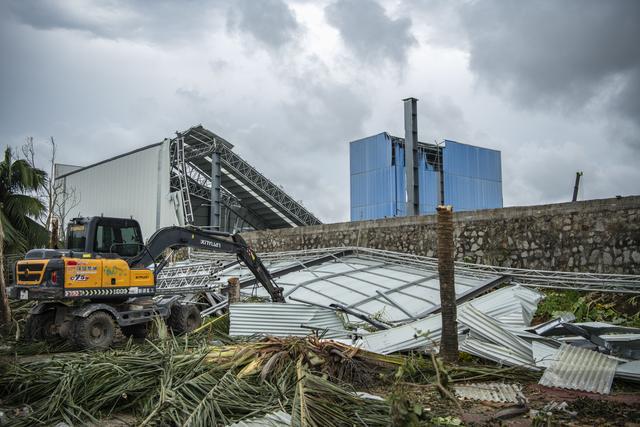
(169, 382)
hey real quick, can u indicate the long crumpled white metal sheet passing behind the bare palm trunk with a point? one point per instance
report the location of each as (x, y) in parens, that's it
(426, 332)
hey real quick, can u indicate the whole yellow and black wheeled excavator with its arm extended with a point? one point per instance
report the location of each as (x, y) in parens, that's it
(106, 276)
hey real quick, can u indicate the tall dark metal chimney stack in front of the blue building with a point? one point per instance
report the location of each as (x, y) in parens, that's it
(411, 154)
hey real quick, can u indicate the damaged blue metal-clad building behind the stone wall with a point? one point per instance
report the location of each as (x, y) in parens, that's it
(472, 177)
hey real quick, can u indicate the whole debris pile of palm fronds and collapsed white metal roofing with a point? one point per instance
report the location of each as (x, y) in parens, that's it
(359, 331)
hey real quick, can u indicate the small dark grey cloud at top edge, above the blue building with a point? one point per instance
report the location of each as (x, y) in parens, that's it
(369, 32)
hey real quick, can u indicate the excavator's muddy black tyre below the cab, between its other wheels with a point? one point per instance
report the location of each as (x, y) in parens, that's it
(94, 332)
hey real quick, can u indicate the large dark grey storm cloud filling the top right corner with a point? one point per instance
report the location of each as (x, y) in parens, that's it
(558, 53)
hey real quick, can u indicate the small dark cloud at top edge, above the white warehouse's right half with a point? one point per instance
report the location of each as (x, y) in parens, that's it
(271, 22)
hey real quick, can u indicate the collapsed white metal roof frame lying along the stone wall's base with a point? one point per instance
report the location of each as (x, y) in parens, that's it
(208, 273)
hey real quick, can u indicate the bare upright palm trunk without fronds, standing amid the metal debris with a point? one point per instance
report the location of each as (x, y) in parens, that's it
(444, 230)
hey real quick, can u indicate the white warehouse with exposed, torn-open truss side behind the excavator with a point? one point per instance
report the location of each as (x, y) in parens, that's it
(193, 178)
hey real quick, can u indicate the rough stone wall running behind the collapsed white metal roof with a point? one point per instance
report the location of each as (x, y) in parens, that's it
(595, 235)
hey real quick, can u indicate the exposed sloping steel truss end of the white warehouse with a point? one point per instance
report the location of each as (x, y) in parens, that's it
(262, 205)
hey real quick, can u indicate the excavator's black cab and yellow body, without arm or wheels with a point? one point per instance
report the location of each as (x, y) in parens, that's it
(93, 265)
